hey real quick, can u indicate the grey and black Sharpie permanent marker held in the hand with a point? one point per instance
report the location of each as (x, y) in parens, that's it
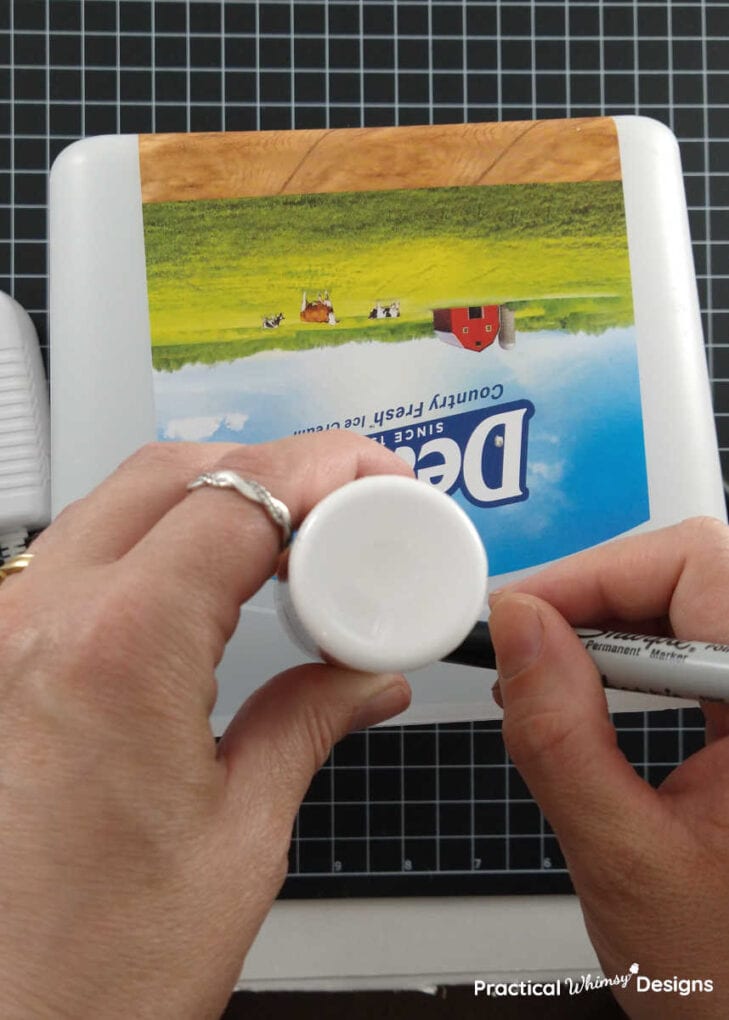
(667, 667)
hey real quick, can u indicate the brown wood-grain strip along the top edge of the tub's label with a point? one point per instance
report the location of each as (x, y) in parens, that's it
(236, 165)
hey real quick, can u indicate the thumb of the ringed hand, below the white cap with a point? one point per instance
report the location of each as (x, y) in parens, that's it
(285, 732)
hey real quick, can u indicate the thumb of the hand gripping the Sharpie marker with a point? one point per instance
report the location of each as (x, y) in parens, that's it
(557, 728)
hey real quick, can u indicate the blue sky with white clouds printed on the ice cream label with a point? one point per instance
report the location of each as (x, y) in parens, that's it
(586, 455)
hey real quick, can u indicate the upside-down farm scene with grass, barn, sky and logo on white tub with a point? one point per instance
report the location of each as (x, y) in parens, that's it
(483, 333)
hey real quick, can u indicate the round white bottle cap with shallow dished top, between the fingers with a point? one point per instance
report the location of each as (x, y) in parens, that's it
(385, 575)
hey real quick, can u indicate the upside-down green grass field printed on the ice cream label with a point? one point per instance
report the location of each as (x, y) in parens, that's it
(216, 269)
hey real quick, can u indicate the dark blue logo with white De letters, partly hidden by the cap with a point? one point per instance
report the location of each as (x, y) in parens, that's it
(482, 453)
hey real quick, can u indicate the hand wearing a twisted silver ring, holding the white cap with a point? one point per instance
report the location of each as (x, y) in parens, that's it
(137, 859)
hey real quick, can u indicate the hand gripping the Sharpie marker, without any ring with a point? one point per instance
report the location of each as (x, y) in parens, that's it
(651, 866)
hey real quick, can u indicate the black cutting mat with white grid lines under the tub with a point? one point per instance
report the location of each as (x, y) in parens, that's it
(436, 809)
